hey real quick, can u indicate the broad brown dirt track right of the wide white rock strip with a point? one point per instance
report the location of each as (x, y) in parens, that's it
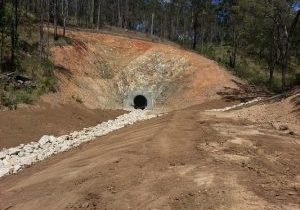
(184, 160)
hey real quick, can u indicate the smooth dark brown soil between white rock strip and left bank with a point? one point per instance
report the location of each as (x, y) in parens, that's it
(30, 124)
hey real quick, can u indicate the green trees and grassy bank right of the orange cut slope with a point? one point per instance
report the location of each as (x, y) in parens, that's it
(251, 40)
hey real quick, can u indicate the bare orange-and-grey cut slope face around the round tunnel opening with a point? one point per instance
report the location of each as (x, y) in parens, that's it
(104, 71)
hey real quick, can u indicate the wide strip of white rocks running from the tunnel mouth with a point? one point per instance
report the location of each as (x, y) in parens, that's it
(14, 159)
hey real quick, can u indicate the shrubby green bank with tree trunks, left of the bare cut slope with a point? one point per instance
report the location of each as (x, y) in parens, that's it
(24, 74)
